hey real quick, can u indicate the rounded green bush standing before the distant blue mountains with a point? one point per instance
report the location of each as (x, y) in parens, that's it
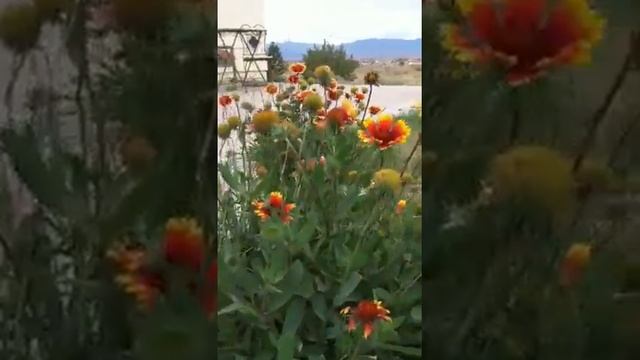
(334, 56)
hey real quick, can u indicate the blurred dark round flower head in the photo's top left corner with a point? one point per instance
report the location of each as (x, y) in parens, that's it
(19, 26)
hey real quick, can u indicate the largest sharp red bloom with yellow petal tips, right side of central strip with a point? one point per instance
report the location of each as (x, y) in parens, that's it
(384, 132)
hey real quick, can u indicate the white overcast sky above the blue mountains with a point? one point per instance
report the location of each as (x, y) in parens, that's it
(341, 21)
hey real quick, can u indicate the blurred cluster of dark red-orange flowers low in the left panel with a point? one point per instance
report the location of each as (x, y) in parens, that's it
(146, 279)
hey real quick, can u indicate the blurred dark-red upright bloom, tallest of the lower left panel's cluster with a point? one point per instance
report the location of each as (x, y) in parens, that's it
(184, 243)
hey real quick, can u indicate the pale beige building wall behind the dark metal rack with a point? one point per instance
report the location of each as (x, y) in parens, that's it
(246, 14)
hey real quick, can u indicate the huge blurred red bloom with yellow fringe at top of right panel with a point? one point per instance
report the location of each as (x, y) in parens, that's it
(527, 38)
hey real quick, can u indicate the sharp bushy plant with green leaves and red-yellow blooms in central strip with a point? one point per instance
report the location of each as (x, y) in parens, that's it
(302, 226)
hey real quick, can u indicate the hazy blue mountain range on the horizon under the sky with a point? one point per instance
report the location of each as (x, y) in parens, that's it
(361, 49)
